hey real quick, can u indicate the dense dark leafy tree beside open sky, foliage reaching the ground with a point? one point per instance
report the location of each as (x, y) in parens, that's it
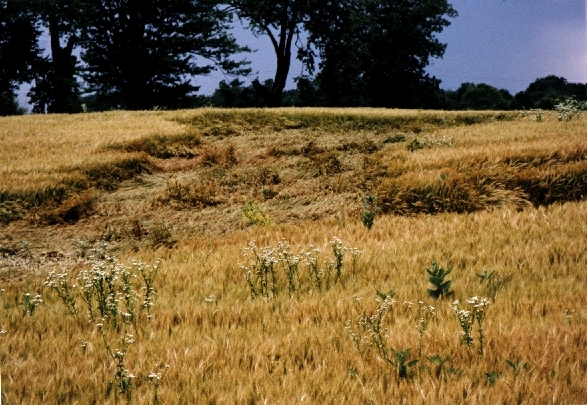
(375, 52)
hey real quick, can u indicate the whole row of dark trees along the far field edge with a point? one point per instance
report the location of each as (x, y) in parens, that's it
(80, 55)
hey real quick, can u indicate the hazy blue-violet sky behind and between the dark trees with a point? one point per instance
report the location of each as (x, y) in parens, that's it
(505, 43)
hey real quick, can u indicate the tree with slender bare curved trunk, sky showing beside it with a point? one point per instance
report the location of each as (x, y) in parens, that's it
(282, 21)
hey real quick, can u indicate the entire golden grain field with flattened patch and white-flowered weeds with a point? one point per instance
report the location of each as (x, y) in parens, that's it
(227, 257)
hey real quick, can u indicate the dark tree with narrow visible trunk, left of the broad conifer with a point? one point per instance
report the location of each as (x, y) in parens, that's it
(56, 87)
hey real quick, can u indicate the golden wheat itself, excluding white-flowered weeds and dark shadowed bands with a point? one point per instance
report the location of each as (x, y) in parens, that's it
(224, 347)
